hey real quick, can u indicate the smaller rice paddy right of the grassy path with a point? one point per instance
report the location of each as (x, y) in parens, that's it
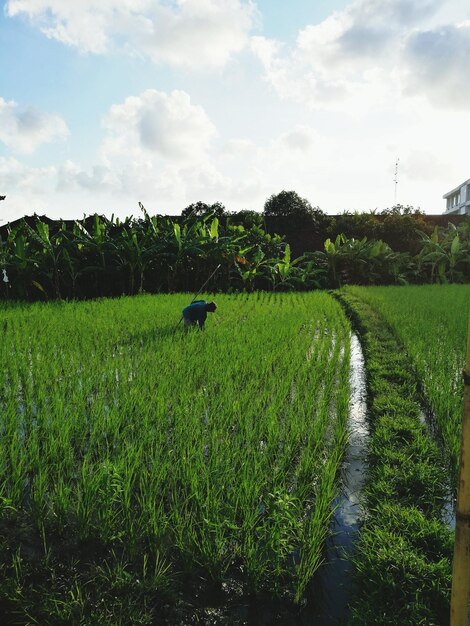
(431, 322)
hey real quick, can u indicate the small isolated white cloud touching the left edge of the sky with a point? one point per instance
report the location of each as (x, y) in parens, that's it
(24, 128)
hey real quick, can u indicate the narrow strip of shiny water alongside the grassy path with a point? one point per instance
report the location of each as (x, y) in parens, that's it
(336, 573)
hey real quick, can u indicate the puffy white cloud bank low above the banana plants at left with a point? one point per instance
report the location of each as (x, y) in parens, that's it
(166, 171)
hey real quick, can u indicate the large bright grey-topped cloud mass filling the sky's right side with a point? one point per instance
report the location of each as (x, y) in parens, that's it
(379, 79)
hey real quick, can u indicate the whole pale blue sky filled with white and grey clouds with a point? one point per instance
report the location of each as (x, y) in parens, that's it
(355, 105)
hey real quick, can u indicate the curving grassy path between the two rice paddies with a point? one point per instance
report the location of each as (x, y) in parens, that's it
(402, 560)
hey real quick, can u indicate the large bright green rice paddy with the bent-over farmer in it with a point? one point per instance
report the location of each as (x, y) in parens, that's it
(150, 457)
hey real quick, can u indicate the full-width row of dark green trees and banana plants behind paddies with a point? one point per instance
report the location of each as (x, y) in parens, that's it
(102, 257)
